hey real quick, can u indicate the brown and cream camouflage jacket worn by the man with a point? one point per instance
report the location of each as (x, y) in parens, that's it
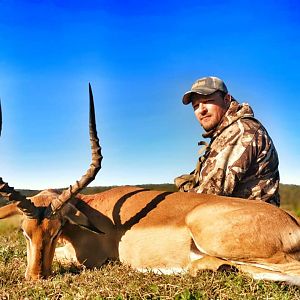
(240, 160)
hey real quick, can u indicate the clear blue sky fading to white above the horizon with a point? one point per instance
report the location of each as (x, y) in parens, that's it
(140, 57)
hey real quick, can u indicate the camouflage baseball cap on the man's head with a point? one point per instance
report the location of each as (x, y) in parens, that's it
(205, 86)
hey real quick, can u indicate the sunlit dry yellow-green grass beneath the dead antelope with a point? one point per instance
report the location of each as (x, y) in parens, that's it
(116, 281)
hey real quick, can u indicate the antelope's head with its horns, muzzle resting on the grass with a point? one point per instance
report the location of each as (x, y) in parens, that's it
(46, 213)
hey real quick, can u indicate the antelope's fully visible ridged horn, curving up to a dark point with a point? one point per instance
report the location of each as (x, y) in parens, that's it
(95, 166)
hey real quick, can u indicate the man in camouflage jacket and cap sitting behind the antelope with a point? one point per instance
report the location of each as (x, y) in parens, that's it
(240, 160)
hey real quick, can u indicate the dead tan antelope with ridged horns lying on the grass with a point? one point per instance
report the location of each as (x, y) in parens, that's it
(154, 230)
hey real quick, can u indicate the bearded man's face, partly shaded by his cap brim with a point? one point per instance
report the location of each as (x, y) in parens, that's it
(210, 109)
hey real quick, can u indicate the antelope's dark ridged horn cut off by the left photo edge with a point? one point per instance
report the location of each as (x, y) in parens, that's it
(24, 204)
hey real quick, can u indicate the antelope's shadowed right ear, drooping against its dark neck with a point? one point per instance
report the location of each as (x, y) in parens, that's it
(76, 217)
